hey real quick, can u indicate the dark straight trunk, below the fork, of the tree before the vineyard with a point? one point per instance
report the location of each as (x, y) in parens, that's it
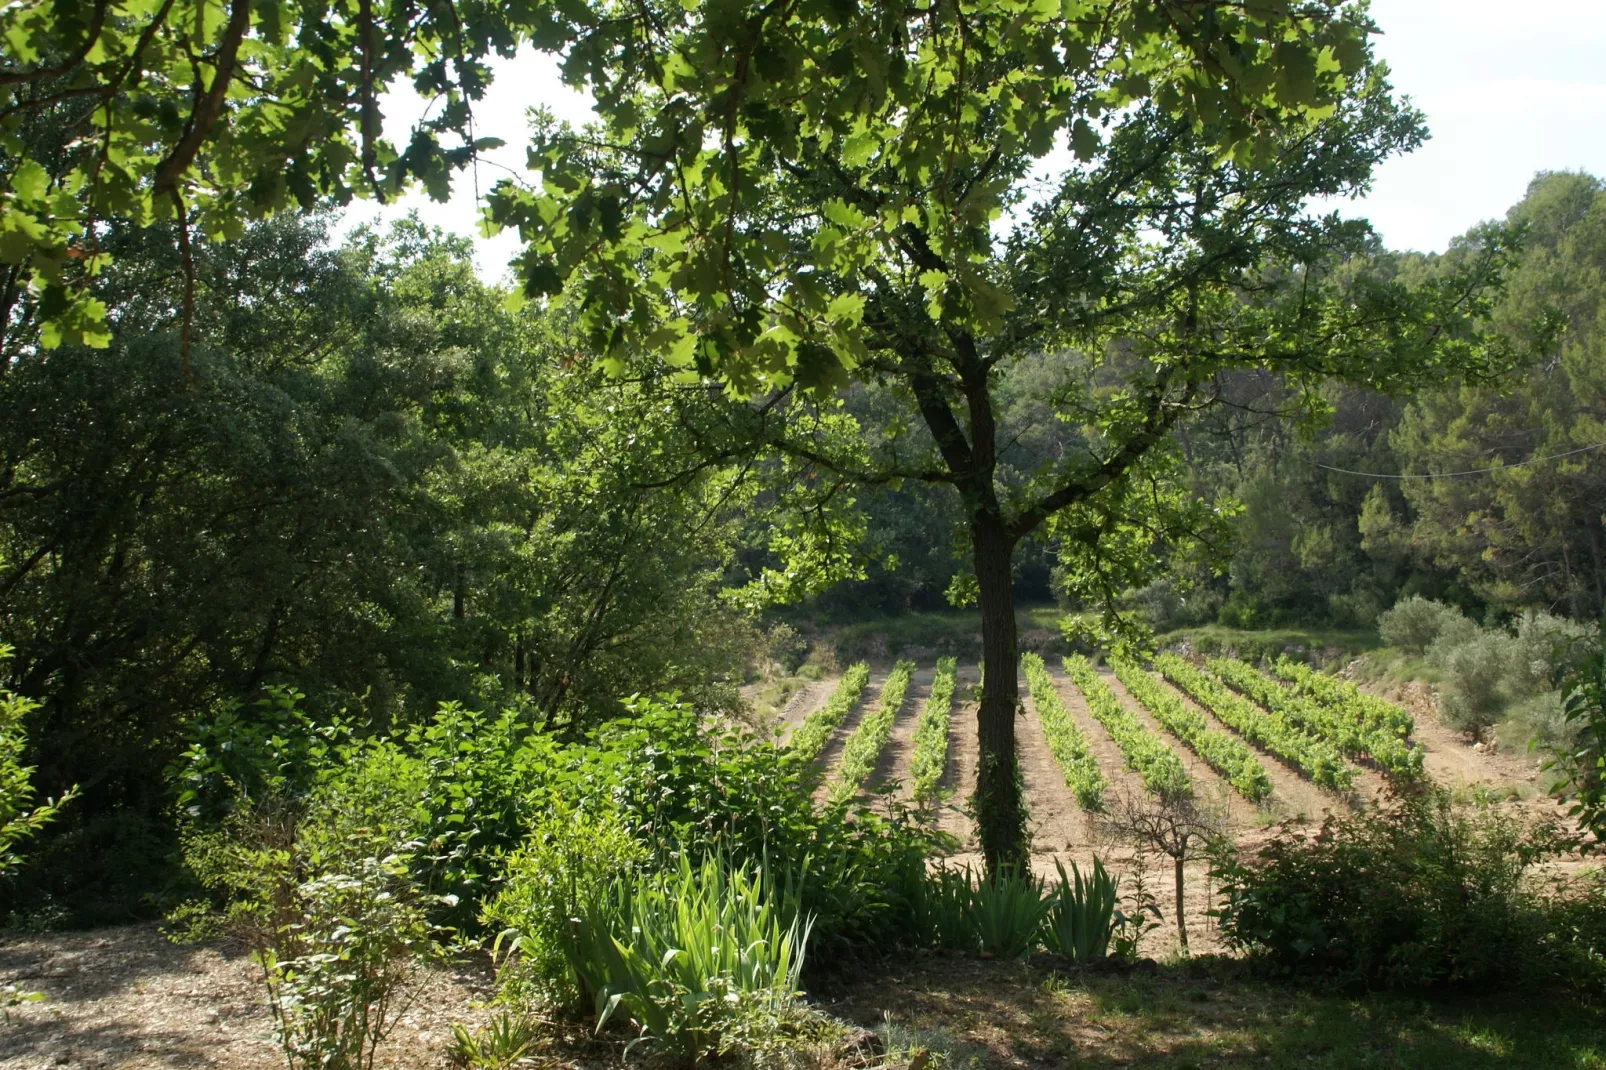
(998, 806)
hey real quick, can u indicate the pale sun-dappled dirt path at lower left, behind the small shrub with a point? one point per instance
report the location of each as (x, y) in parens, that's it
(128, 999)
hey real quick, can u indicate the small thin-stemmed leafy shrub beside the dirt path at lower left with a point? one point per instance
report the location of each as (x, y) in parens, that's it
(322, 888)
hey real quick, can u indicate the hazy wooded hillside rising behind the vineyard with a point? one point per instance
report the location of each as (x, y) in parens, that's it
(1417, 472)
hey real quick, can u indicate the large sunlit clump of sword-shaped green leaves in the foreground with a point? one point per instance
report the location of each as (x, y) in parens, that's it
(688, 954)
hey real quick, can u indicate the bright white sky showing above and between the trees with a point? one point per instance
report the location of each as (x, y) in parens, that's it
(1510, 89)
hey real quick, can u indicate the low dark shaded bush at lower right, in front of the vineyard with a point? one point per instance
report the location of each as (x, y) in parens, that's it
(1409, 896)
